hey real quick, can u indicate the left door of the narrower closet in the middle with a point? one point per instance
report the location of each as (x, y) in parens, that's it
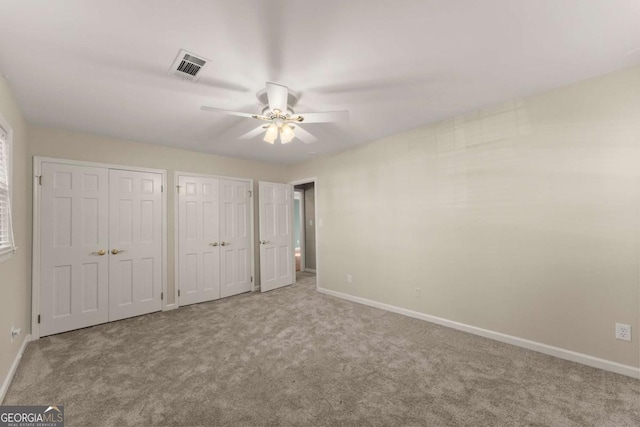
(198, 239)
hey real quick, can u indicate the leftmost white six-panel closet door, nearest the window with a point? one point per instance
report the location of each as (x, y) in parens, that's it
(73, 239)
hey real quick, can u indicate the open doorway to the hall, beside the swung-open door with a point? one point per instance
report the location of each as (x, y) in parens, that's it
(305, 227)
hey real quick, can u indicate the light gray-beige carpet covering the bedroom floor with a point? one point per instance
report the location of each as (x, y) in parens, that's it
(294, 357)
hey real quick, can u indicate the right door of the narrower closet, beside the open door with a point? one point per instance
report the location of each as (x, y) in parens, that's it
(235, 238)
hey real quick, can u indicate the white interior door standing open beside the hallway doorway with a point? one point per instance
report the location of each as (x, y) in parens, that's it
(276, 235)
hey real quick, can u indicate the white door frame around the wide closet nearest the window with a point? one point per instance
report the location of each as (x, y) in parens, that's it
(35, 251)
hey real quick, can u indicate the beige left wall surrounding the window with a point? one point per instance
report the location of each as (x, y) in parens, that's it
(15, 273)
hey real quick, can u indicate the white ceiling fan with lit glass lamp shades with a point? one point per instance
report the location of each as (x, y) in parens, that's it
(279, 117)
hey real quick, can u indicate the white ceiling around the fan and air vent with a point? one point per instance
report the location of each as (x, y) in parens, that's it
(102, 66)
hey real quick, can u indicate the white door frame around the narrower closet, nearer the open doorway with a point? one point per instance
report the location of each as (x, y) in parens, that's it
(176, 237)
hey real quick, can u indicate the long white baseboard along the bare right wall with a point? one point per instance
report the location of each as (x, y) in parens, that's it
(561, 353)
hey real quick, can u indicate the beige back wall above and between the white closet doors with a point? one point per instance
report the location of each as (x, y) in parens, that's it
(63, 144)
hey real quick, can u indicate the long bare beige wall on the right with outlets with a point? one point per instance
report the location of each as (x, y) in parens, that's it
(521, 219)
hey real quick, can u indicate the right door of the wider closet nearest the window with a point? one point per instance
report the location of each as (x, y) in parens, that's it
(135, 243)
